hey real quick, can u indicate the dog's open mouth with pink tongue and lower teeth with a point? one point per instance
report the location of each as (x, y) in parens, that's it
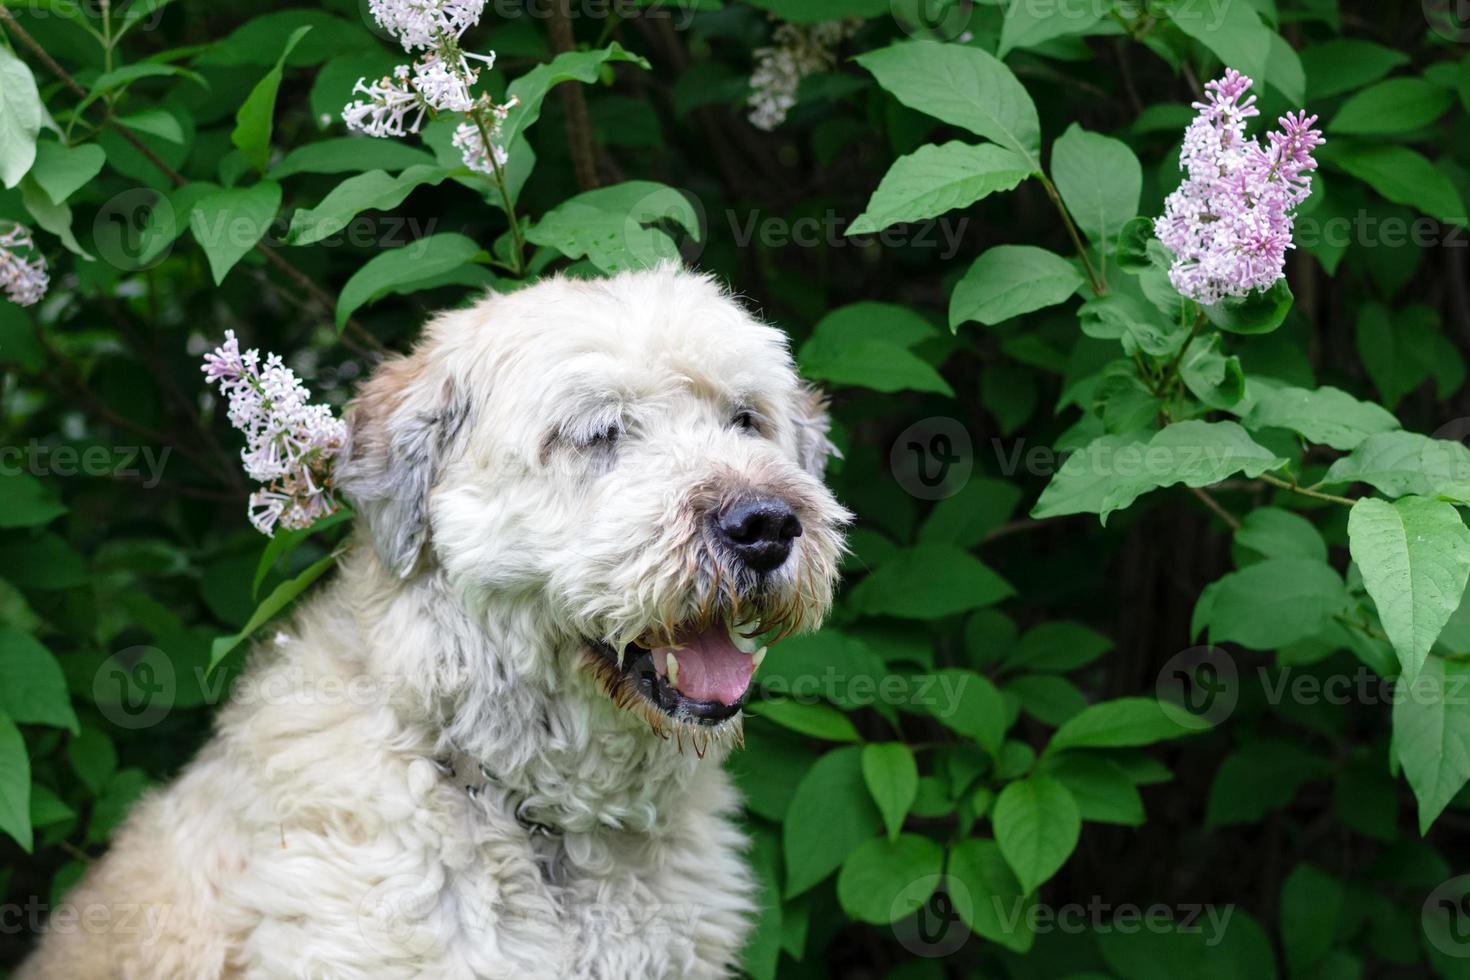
(702, 677)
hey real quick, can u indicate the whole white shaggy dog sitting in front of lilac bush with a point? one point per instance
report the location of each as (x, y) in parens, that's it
(495, 741)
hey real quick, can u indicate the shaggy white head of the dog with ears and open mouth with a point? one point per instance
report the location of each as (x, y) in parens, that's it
(627, 468)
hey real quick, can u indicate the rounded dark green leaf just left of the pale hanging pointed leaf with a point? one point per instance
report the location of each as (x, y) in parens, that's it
(1275, 603)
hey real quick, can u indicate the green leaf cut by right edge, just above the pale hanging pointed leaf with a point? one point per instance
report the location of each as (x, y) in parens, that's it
(1408, 464)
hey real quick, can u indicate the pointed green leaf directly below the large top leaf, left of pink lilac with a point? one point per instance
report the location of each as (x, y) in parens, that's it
(934, 180)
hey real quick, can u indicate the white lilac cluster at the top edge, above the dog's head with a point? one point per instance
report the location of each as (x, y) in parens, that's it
(439, 82)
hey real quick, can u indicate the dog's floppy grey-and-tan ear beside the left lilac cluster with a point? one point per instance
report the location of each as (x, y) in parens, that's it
(399, 428)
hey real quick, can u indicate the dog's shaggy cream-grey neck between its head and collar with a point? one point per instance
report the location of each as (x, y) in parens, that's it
(498, 687)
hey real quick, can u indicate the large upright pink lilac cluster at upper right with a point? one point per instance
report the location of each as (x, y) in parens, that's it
(1230, 224)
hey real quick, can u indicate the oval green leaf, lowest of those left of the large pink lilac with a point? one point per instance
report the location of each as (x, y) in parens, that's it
(1012, 280)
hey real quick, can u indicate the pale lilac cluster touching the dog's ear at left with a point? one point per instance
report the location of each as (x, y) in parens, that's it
(290, 444)
